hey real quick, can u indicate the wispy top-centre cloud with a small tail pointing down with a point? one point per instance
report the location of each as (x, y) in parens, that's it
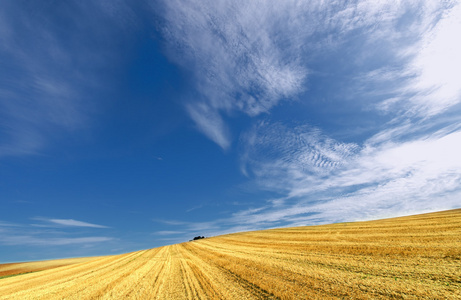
(235, 53)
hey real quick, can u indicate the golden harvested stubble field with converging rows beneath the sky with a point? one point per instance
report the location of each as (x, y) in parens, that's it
(414, 257)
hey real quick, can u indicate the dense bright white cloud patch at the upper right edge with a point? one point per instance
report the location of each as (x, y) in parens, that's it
(426, 84)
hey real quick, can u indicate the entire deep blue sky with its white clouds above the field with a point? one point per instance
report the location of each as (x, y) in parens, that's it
(127, 125)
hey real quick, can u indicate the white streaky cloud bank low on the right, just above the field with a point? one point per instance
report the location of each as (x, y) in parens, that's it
(376, 180)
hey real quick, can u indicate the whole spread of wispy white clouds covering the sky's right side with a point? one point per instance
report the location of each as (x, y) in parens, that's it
(400, 59)
